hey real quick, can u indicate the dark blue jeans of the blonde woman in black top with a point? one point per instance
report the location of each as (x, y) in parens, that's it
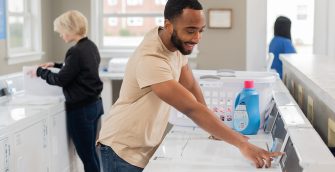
(82, 127)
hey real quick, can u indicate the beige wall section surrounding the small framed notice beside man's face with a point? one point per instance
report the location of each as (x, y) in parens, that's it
(224, 48)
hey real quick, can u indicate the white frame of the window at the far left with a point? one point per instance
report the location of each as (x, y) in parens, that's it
(32, 37)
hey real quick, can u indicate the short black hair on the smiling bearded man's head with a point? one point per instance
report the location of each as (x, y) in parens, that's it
(174, 8)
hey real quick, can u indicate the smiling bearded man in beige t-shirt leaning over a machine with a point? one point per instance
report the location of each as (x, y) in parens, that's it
(157, 76)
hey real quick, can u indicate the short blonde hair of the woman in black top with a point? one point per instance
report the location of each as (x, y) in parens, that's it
(71, 22)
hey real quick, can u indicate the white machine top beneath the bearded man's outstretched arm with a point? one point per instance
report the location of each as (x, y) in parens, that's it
(190, 149)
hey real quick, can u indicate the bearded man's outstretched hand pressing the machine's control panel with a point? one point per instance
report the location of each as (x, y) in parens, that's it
(258, 156)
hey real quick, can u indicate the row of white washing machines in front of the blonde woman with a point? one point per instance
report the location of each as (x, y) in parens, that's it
(33, 136)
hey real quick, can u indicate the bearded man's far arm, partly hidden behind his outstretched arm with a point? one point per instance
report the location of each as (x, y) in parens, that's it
(187, 80)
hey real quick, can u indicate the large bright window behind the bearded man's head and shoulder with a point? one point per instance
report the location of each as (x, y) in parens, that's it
(119, 29)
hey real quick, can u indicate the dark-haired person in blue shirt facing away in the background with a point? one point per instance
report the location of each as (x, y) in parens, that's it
(281, 42)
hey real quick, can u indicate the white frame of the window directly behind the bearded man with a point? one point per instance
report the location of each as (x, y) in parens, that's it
(97, 32)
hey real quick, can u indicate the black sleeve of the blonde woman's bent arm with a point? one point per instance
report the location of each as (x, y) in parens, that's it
(65, 75)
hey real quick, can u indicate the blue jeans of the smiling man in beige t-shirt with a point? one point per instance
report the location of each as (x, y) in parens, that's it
(111, 162)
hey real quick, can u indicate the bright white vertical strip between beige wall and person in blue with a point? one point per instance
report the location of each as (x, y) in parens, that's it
(256, 35)
